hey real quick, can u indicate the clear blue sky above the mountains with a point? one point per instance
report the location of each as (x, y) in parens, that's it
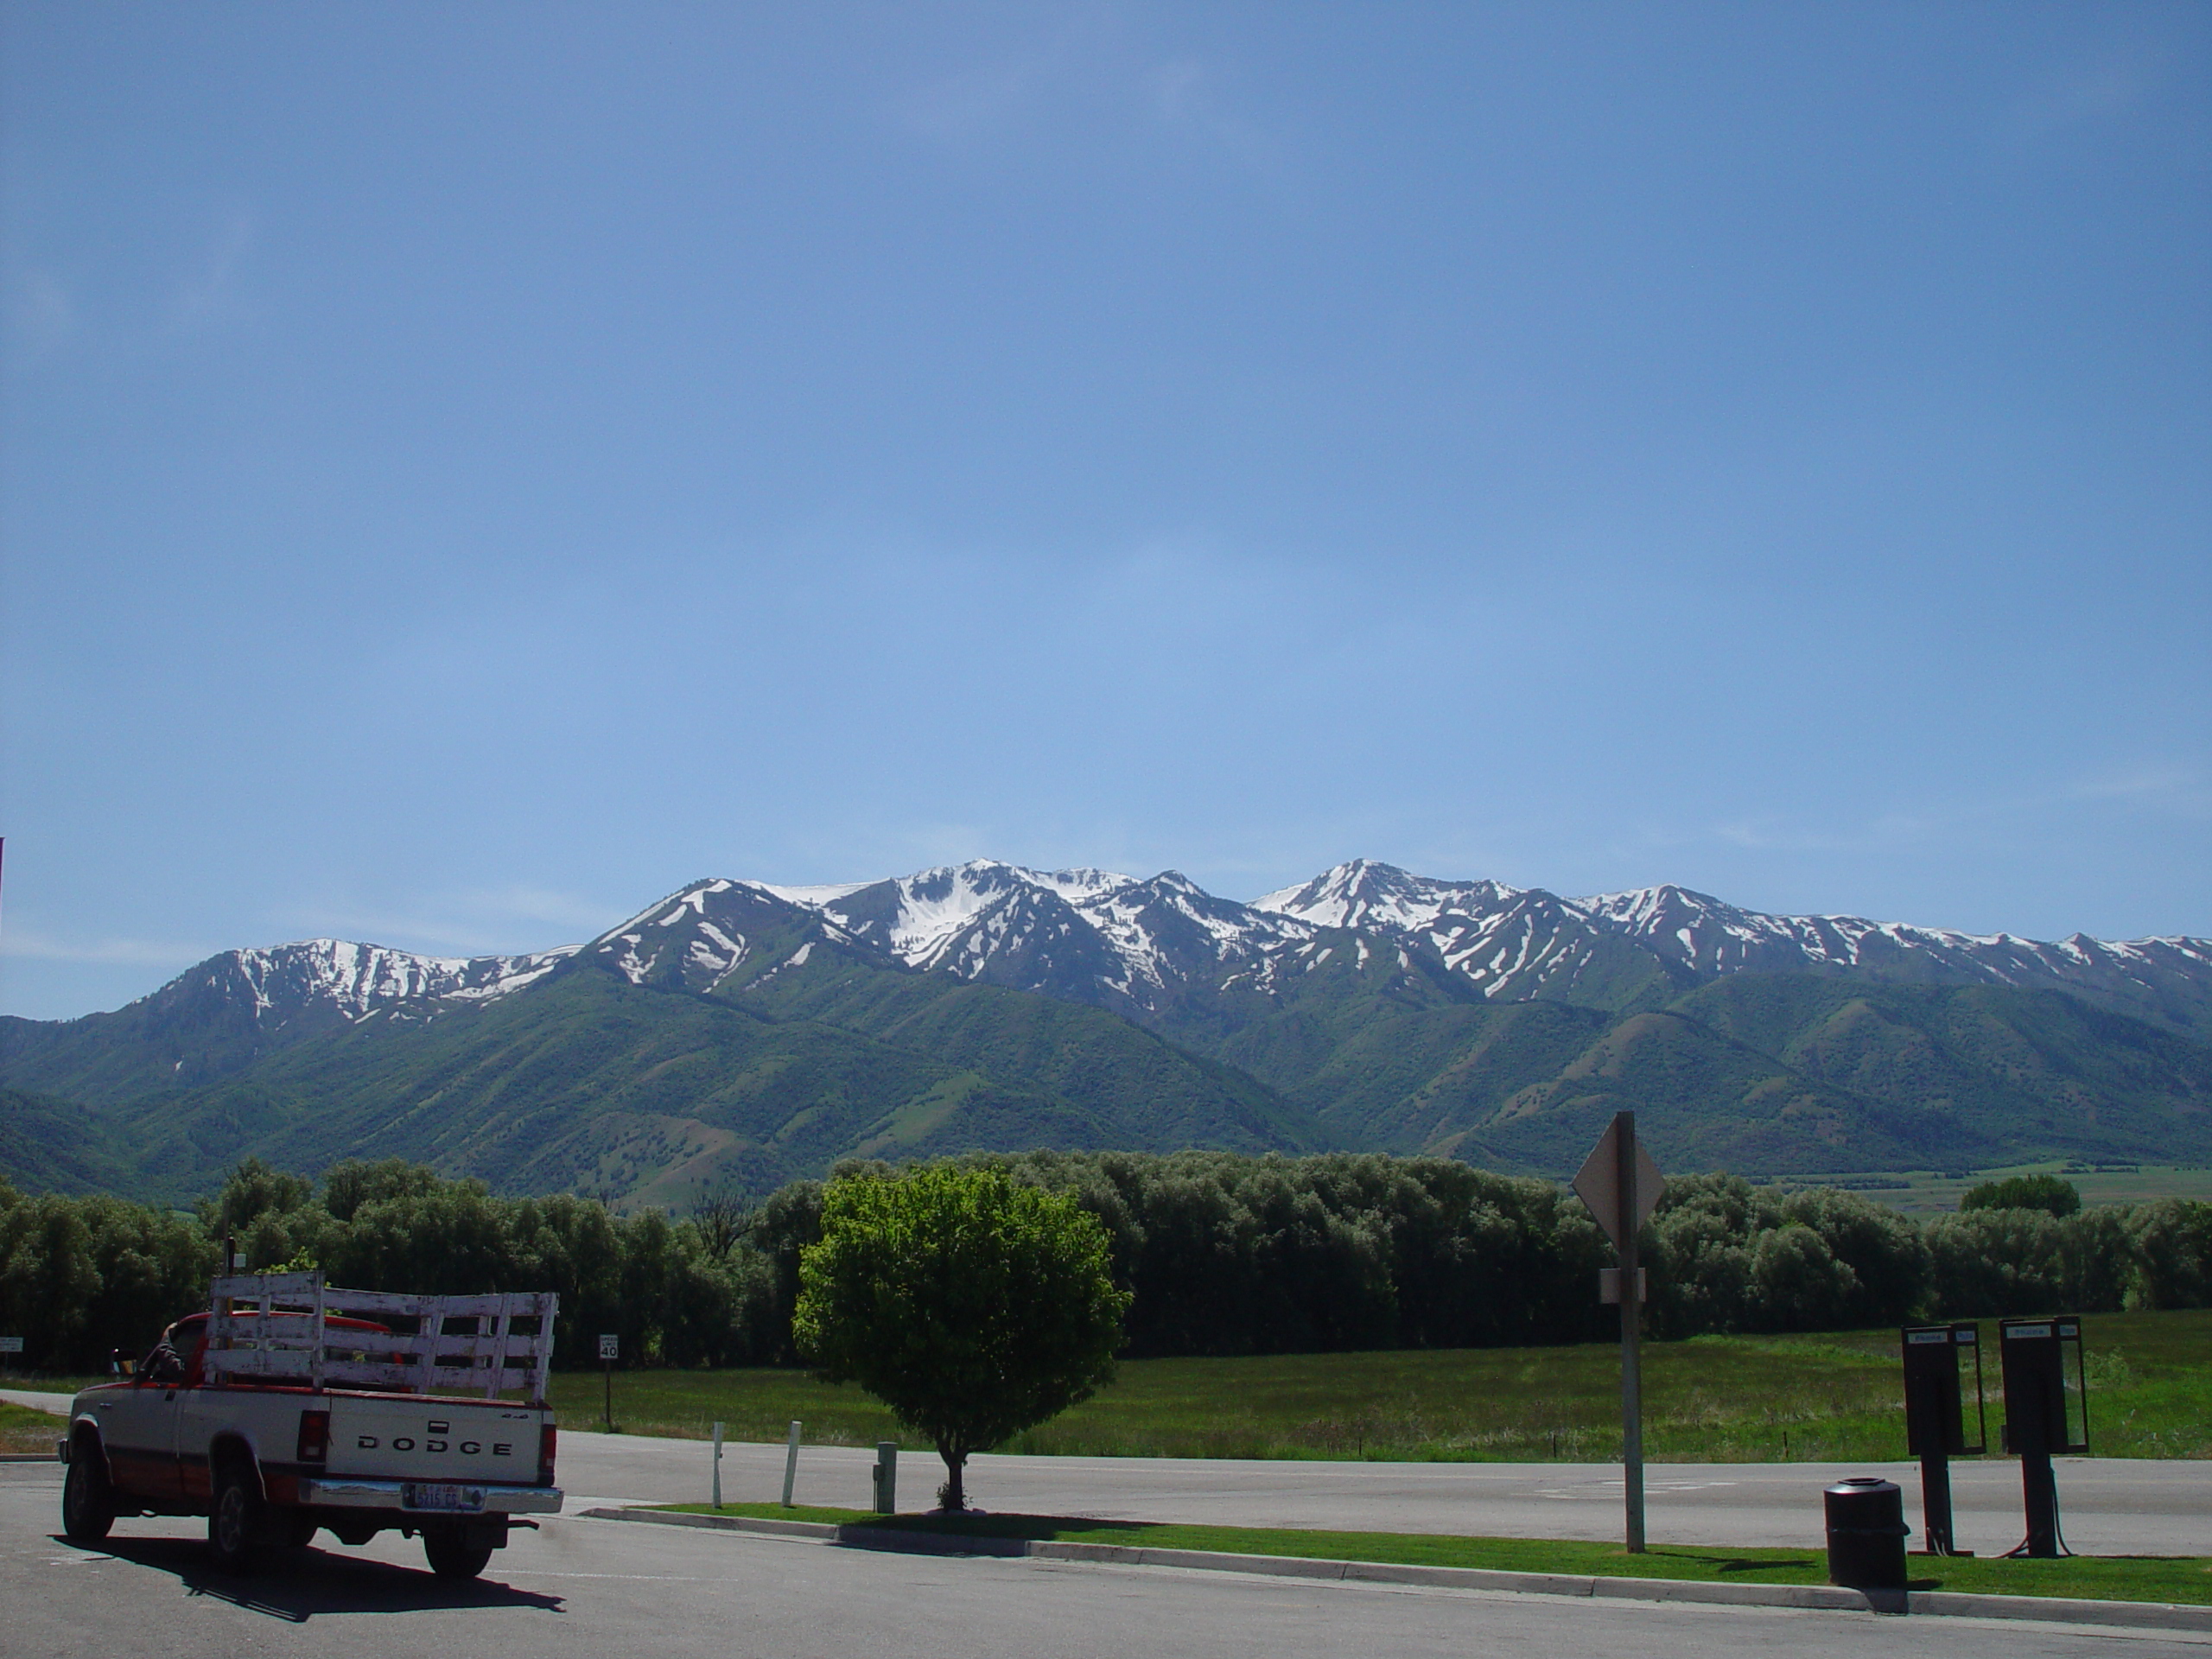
(470, 470)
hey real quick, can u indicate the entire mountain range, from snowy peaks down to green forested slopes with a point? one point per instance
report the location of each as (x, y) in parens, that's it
(740, 1034)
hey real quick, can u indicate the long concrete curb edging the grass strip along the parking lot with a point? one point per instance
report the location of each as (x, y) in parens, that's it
(2136, 1616)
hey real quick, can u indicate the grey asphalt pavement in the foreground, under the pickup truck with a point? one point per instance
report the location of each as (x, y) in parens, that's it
(594, 1587)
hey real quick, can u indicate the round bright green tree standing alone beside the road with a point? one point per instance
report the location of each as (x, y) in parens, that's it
(966, 1302)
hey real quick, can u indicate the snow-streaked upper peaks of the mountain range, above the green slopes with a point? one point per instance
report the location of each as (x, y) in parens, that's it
(1151, 946)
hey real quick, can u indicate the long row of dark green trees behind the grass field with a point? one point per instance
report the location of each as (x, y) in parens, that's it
(1222, 1253)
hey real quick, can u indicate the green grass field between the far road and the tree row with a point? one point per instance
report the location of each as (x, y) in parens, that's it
(1713, 1399)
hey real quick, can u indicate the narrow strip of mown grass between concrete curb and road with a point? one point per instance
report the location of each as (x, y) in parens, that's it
(2107, 1578)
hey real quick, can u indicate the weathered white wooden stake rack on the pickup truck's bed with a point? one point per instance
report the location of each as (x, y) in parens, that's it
(275, 1328)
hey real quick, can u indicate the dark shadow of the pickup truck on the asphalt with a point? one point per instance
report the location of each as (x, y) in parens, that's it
(313, 1583)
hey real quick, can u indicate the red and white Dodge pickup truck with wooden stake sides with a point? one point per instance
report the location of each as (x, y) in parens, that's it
(293, 1406)
